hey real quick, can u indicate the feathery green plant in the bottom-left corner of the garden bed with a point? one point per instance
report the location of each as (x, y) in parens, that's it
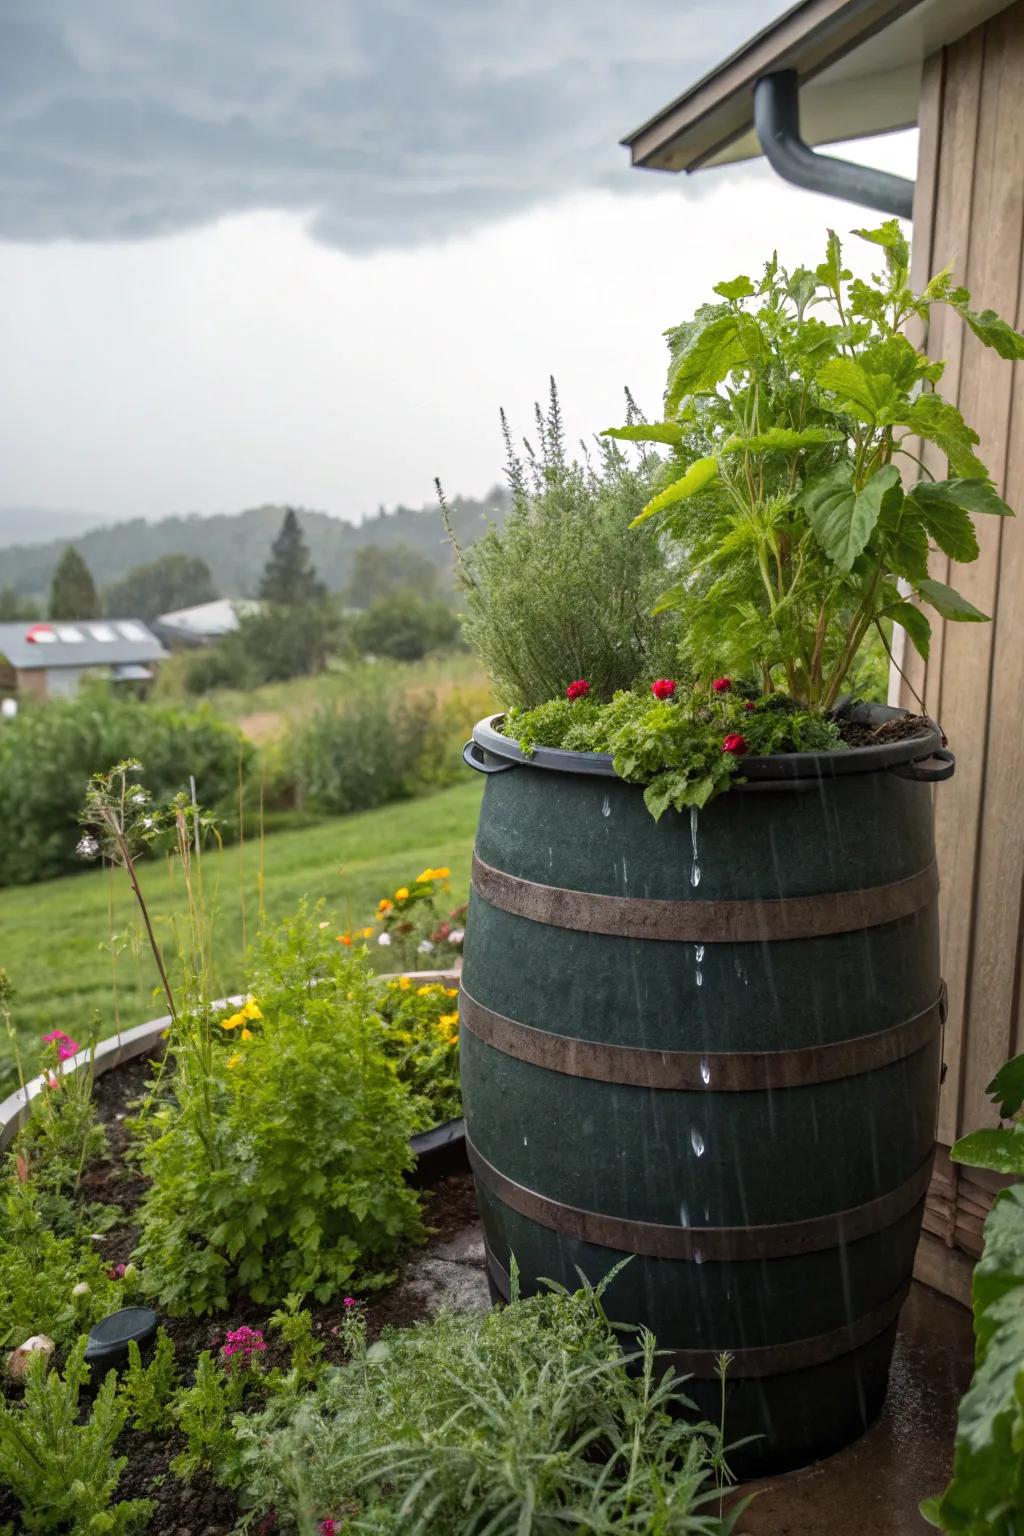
(62, 1466)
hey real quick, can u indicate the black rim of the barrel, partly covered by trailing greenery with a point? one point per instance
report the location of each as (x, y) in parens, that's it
(756, 770)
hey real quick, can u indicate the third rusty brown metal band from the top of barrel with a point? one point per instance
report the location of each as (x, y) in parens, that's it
(704, 1245)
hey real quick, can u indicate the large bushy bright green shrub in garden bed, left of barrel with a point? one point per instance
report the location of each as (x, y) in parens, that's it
(279, 1164)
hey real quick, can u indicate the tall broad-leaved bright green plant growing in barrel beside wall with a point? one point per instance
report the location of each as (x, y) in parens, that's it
(790, 408)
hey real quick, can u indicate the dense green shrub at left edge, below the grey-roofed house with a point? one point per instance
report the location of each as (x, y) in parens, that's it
(48, 755)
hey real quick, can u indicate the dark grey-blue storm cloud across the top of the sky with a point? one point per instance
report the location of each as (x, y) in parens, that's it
(392, 122)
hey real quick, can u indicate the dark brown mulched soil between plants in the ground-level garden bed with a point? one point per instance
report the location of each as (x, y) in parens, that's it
(200, 1508)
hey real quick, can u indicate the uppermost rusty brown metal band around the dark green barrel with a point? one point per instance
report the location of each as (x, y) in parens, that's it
(705, 922)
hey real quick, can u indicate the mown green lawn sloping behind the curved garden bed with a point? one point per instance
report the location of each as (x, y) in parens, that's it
(56, 938)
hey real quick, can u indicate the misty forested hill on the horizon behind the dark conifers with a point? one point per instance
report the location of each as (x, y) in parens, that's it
(236, 546)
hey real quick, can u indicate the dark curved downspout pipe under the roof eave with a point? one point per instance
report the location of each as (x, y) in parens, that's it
(778, 124)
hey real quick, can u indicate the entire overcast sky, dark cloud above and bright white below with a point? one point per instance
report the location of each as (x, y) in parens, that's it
(300, 251)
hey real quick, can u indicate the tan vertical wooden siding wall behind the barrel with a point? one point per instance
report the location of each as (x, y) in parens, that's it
(969, 214)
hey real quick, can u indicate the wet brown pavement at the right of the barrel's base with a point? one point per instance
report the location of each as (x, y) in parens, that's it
(874, 1486)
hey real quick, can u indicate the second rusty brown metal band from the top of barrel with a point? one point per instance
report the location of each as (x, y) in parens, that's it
(696, 1071)
